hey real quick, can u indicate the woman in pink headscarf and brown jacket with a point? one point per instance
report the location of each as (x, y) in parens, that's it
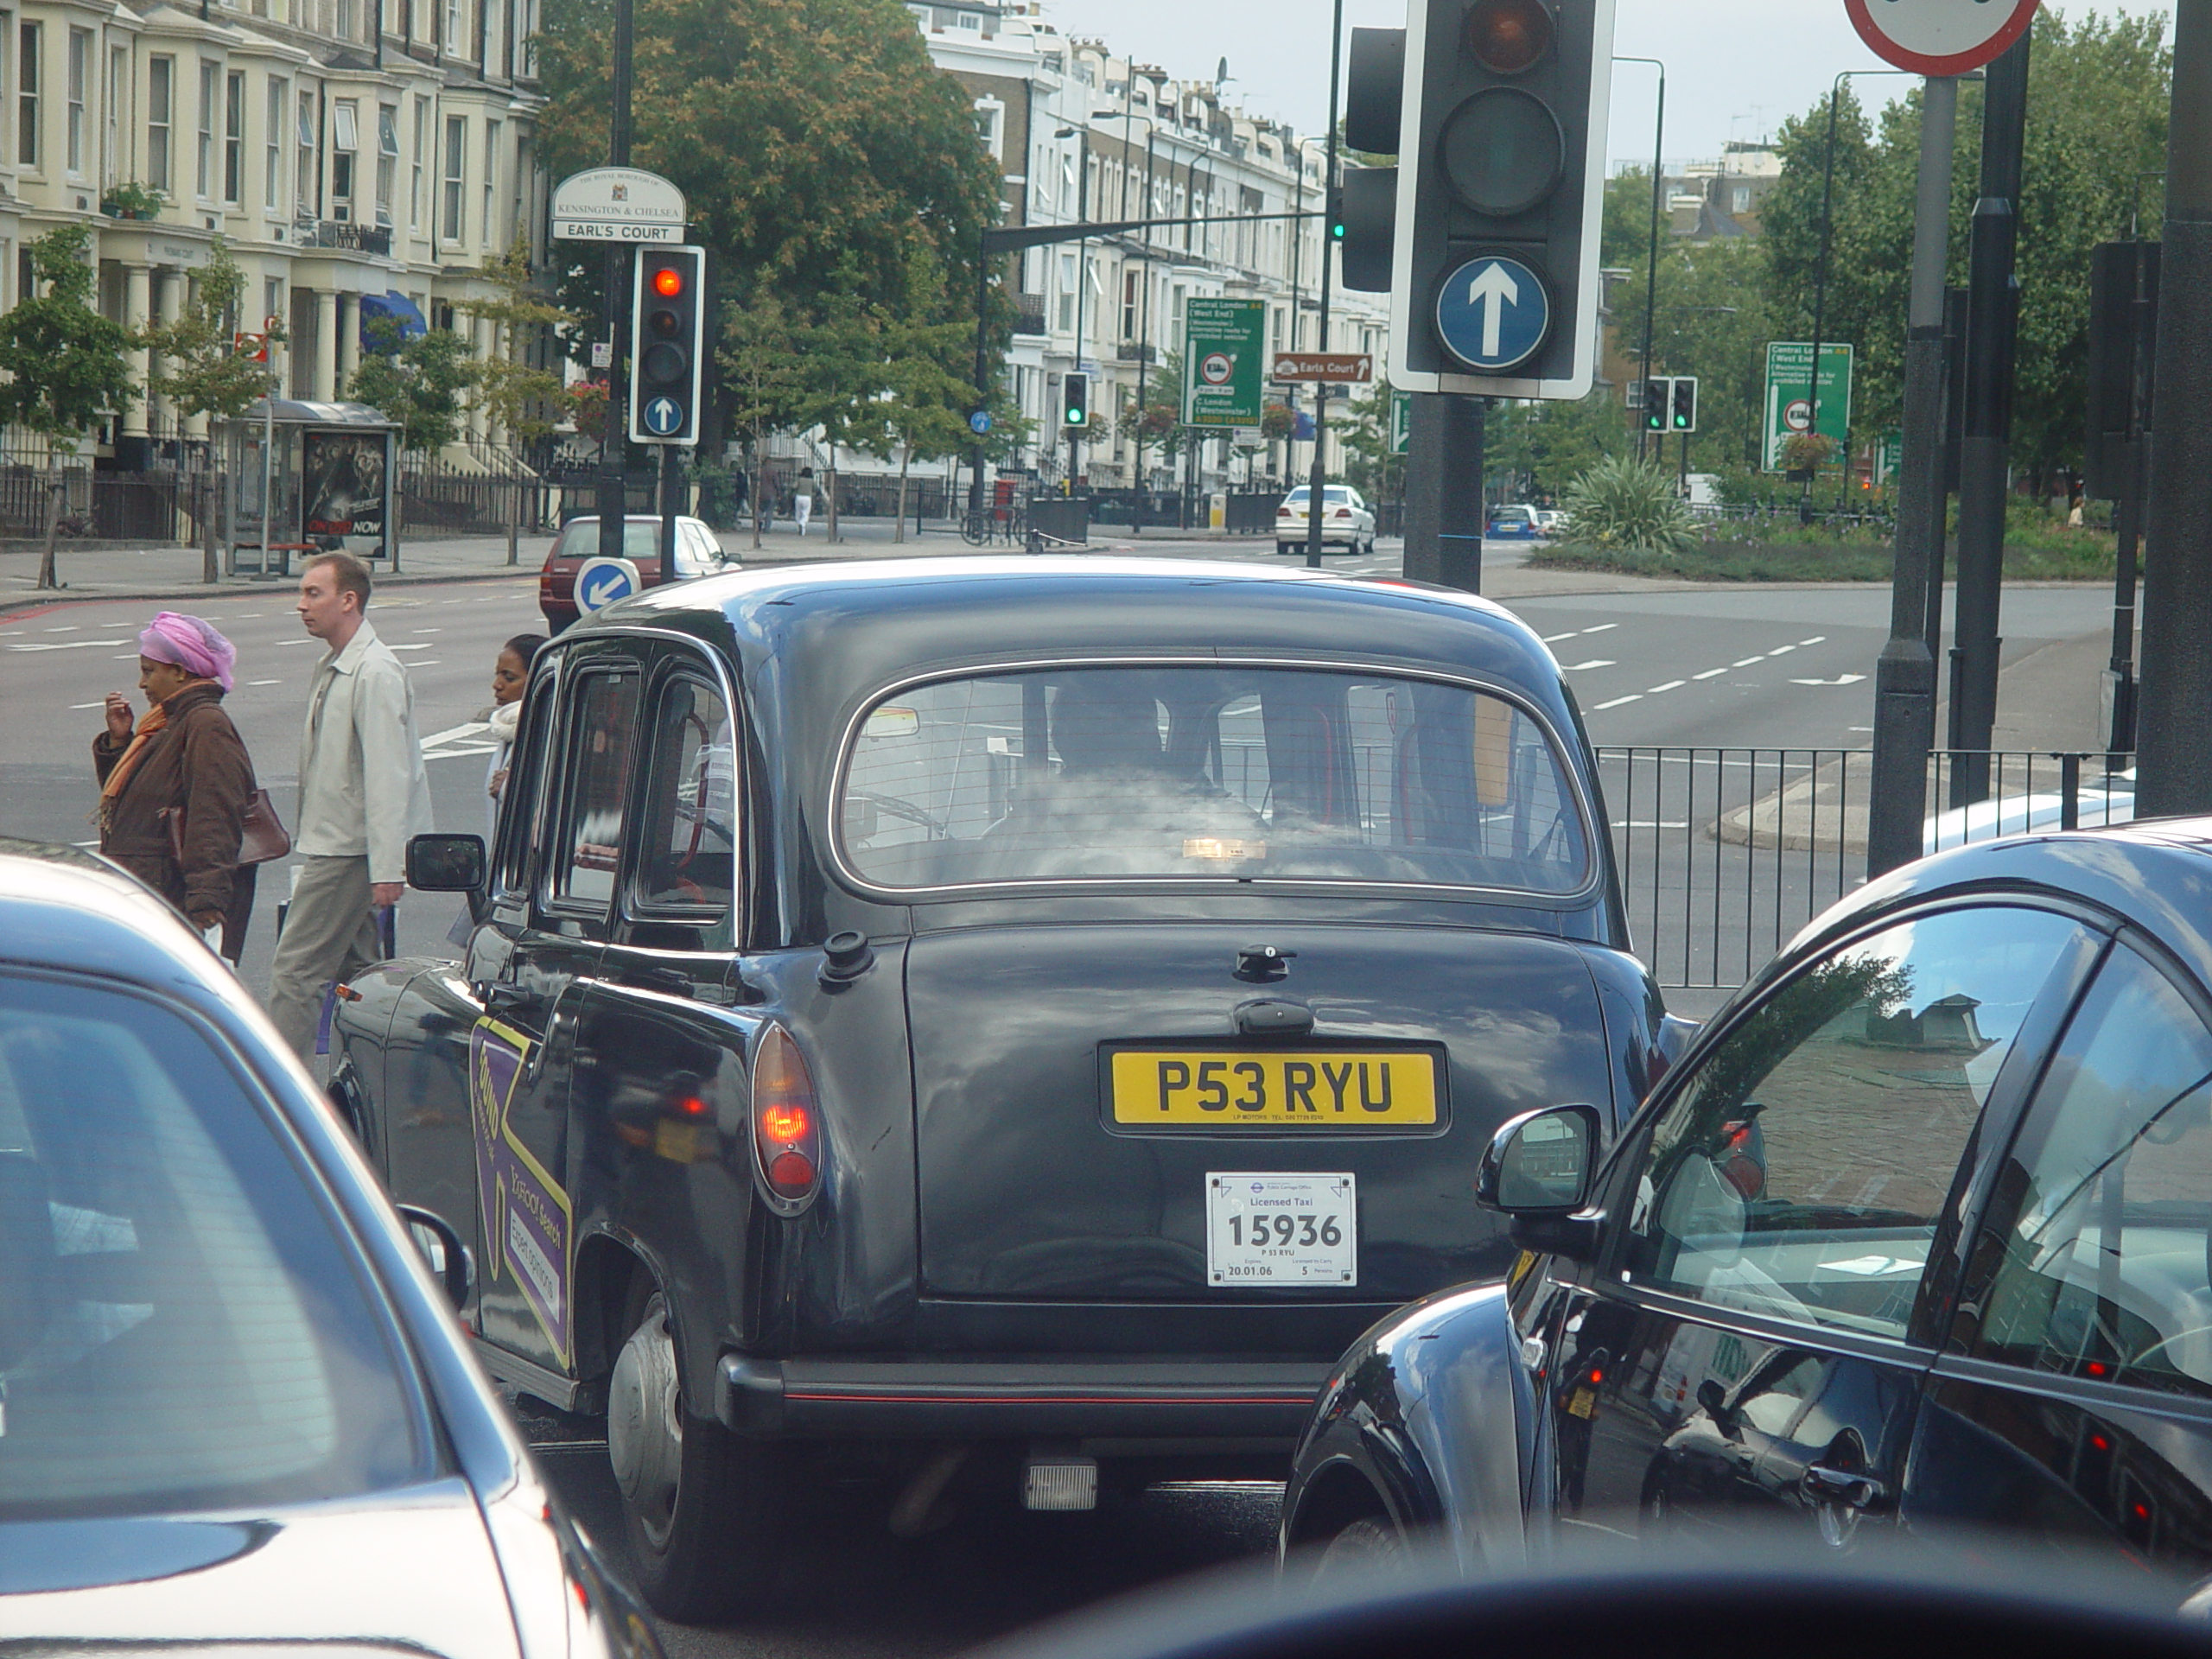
(182, 753)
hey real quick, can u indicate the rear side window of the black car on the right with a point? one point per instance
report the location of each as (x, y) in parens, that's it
(2107, 1266)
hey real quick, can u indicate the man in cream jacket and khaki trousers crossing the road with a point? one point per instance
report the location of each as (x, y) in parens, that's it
(364, 791)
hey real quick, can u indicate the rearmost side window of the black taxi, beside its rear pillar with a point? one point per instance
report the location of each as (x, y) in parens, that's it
(689, 862)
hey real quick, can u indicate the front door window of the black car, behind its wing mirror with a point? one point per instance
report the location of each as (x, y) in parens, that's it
(1802, 1169)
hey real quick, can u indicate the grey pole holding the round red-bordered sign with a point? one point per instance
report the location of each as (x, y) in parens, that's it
(1906, 676)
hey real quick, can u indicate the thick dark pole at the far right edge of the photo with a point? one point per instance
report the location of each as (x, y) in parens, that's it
(2176, 702)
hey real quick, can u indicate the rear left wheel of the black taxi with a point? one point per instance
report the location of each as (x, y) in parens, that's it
(700, 1505)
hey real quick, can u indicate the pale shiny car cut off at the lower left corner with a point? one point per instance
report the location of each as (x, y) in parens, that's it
(236, 1410)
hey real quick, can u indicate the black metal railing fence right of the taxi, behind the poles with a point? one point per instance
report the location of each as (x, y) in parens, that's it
(1726, 853)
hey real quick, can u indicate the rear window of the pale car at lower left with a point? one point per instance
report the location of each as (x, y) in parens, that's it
(180, 1324)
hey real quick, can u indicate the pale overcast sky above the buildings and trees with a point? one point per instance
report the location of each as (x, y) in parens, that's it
(1735, 67)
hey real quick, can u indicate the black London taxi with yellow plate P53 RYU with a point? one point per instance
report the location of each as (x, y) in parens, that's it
(1043, 1008)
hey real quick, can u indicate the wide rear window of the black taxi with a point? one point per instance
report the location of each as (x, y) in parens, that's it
(1209, 771)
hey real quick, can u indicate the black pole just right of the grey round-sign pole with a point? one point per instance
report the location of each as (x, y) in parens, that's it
(1985, 450)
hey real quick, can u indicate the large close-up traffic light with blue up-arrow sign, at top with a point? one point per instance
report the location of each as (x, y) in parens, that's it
(1501, 189)
